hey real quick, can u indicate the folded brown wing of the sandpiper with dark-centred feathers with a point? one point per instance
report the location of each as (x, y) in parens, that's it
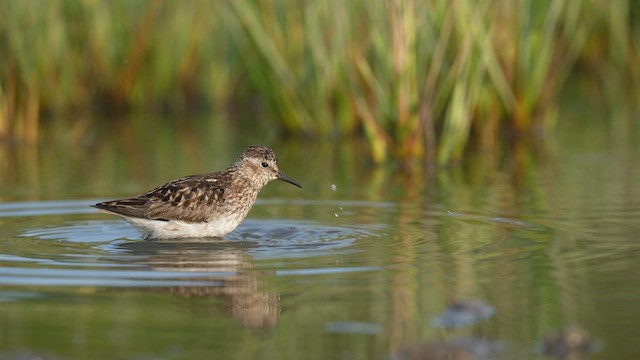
(191, 199)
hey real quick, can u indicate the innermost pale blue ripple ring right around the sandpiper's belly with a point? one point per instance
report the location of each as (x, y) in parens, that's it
(260, 238)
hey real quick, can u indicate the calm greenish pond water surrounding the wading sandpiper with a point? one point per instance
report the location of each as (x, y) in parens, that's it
(356, 265)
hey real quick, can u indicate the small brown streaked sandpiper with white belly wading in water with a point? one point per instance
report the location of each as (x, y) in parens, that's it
(207, 205)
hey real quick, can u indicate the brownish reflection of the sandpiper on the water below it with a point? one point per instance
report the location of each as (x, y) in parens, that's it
(236, 286)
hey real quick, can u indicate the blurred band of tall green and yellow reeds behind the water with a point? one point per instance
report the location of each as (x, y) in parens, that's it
(419, 79)
